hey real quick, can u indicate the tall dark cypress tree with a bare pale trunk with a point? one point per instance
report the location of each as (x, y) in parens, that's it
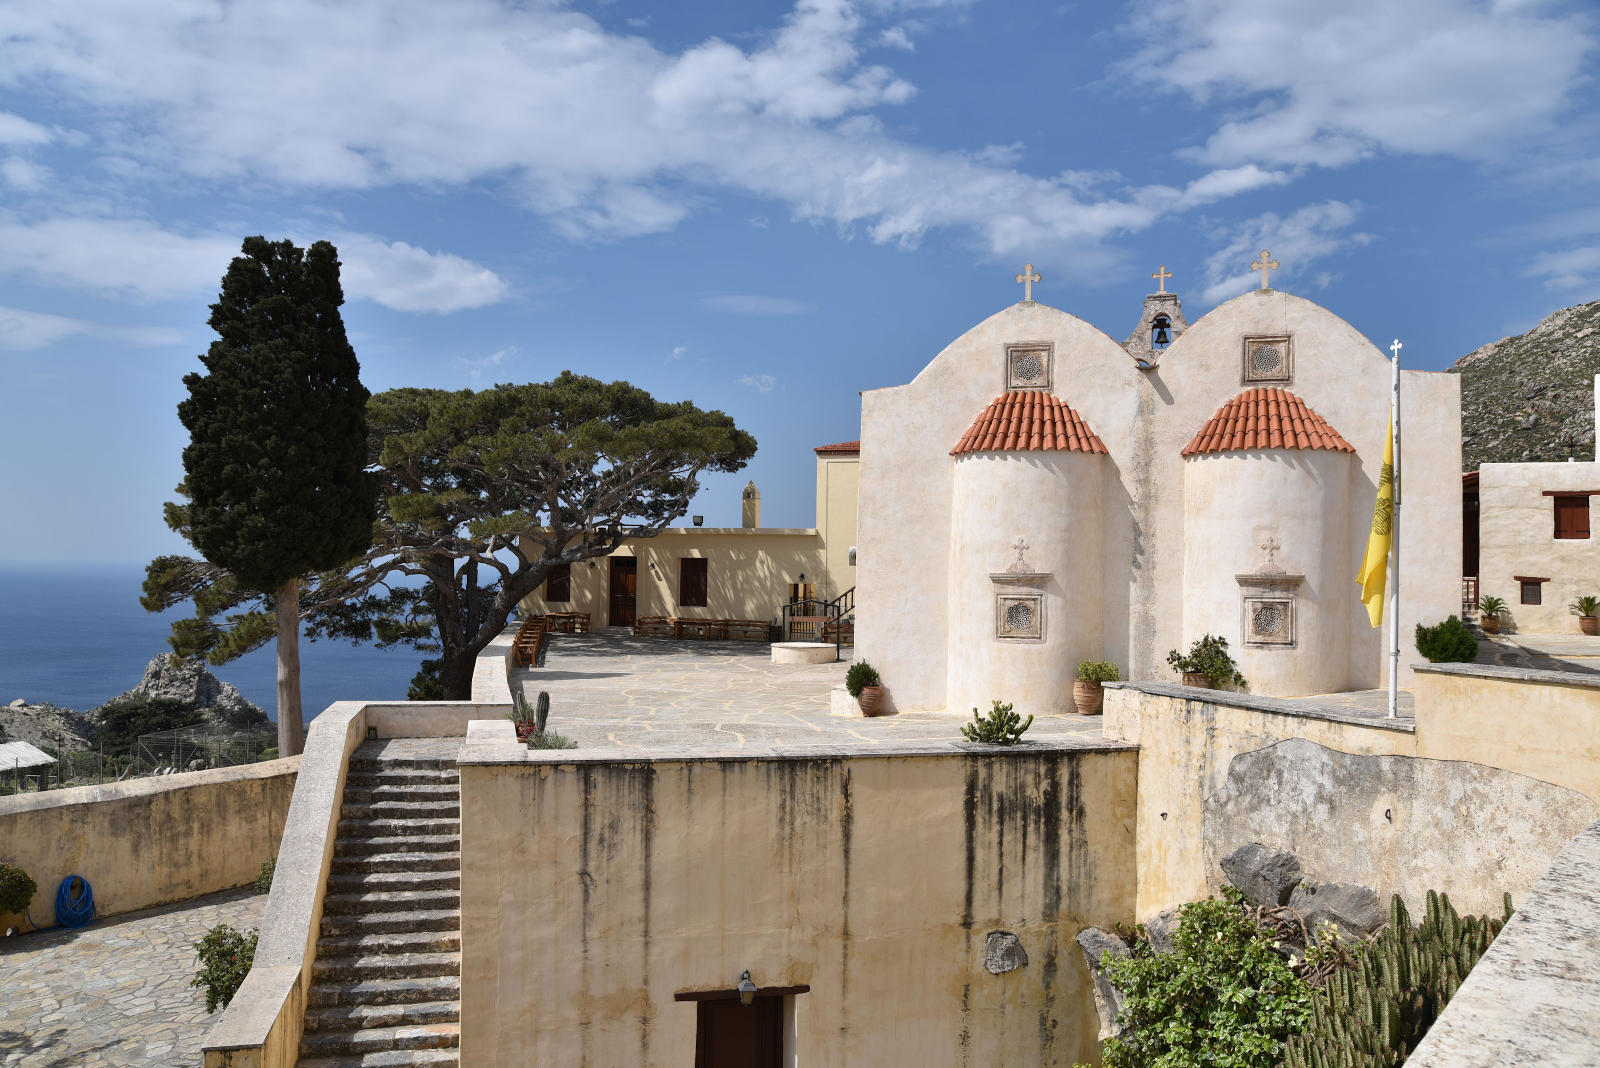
(278, 440)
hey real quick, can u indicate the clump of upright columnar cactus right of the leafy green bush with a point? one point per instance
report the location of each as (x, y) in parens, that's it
(1375, 1014)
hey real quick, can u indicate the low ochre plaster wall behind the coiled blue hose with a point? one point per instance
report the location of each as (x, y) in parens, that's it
(150, 842)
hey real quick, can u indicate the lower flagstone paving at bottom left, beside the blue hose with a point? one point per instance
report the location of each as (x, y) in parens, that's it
(116, 994)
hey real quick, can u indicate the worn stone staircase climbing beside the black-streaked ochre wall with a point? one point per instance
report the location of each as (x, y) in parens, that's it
(386, 986)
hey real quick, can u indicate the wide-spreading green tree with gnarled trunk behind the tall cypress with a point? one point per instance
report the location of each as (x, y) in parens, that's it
(484, 495)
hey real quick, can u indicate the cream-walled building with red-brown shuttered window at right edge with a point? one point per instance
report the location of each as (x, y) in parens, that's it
(1518, 538)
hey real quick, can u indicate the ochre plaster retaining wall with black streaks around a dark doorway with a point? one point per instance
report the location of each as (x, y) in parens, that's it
(593, 893)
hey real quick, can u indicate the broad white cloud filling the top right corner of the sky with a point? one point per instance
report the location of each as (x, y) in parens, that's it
(1329, 84)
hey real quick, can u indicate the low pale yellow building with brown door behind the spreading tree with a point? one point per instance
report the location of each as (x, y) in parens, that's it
(743, 573)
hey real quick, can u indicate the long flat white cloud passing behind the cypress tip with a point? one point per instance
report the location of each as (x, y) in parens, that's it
(140, 260)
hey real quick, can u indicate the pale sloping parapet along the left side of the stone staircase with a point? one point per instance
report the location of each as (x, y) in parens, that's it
(263, 1026)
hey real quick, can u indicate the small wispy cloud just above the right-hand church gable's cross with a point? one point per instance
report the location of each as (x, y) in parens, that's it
(1295, 242)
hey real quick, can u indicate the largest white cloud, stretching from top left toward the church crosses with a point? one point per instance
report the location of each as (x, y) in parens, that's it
(602, 133)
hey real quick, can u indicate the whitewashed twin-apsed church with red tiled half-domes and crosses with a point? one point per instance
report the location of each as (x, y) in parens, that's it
(1041, 495)
